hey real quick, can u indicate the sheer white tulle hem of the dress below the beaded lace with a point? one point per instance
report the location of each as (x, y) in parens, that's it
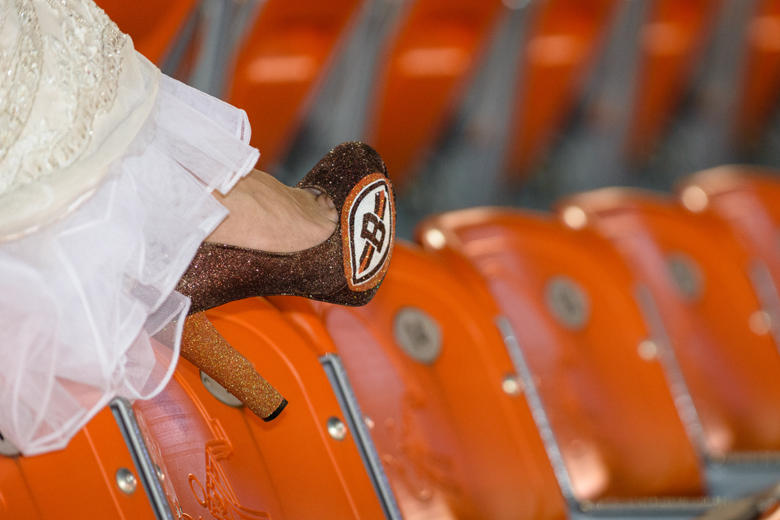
(88, 309)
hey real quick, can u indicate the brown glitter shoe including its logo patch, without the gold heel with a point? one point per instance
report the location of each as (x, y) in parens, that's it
(345, 269)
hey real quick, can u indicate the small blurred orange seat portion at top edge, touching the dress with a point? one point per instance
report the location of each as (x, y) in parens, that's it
(151, 24)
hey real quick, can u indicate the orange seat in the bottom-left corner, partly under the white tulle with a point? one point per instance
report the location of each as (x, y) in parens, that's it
(75, 483)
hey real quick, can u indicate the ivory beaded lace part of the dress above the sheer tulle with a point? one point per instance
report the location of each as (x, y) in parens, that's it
(56, 83)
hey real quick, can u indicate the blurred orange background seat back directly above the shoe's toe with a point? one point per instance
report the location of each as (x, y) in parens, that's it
(437, 47)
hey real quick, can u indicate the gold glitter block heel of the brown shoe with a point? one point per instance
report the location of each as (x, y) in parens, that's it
(203, 346)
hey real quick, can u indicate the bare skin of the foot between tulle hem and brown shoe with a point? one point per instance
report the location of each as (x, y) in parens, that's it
(269, 216)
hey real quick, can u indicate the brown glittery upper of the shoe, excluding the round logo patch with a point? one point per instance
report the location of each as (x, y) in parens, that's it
(223, 273)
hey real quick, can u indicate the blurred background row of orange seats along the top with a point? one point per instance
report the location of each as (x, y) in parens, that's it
(401, 74)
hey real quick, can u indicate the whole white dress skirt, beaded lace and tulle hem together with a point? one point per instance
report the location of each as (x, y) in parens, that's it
(106, 173)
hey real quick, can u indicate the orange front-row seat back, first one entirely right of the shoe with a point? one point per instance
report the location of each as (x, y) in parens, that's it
(613, 416)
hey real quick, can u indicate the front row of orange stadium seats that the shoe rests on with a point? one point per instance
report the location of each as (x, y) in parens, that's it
(618, 357)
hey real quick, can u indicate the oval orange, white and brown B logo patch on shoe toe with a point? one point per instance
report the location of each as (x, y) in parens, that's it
(368, 231)
